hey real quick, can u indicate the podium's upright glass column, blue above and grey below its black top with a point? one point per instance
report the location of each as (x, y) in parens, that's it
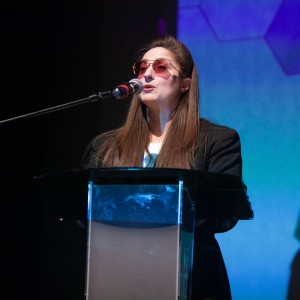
(138, 244)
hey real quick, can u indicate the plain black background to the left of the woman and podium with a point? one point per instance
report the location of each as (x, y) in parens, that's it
(55, 52)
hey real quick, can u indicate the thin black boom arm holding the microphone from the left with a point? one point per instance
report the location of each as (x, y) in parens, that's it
(92, 98)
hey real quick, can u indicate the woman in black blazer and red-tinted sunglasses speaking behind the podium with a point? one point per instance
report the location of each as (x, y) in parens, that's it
(163, 130)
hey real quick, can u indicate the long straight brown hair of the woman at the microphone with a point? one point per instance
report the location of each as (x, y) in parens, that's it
(124, 147)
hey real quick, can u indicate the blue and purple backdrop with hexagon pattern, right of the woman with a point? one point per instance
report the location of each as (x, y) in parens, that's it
(248, 59)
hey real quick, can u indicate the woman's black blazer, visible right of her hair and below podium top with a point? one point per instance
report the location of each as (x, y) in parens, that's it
(220, 152)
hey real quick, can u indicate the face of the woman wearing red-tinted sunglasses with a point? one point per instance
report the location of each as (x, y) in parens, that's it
(162, 82)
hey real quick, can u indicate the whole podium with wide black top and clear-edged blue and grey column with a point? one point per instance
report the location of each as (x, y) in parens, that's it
(141, 224)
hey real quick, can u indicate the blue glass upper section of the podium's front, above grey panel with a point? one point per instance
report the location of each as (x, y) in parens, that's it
(146, 204)
